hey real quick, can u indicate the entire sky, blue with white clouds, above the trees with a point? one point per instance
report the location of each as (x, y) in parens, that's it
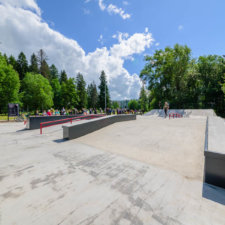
(89, 36)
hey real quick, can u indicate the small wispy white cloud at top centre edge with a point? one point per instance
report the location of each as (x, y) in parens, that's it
(113, 9)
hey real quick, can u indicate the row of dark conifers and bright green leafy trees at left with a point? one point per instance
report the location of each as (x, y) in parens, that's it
(38, 86)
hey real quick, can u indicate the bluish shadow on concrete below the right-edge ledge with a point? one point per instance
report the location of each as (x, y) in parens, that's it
(213, 193)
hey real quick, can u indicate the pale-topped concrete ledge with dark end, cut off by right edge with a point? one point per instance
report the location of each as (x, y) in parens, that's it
(214, 172)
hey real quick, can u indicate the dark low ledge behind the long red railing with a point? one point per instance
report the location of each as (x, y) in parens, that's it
(34, 121)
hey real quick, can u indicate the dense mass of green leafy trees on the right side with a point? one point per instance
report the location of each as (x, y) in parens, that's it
(172, 75)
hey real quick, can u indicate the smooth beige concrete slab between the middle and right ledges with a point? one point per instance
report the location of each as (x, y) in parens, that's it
(175, 144)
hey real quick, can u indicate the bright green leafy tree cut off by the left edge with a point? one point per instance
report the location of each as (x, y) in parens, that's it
(9, 84)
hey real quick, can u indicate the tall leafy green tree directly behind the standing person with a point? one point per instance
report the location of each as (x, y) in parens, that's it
(166, 73)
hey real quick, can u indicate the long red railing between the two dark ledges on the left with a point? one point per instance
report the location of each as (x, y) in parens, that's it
(58, 122)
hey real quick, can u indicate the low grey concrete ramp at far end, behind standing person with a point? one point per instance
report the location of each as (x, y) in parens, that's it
(183, 112)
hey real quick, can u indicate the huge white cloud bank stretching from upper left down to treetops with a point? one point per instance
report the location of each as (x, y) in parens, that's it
(24, 30)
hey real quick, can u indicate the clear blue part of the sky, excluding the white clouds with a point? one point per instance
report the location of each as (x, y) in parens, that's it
(199, 24)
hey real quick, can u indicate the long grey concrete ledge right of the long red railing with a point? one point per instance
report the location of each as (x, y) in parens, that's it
(82, 128)
